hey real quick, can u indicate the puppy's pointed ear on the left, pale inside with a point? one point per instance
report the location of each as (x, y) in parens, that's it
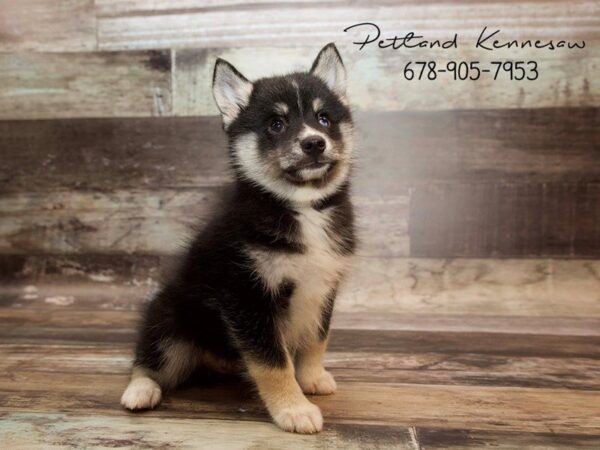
(231, 91)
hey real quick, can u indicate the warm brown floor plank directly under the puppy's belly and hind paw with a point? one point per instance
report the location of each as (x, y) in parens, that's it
(498, 408)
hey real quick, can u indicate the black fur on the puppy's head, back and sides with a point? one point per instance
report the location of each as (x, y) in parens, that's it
(215, 300)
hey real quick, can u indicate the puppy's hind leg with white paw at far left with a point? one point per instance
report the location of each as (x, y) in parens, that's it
(177, 361)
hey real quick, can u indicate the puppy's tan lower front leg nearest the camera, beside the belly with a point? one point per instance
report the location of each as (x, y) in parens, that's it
(289, 408)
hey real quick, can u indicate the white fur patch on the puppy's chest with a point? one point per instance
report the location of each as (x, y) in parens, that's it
(315, 272)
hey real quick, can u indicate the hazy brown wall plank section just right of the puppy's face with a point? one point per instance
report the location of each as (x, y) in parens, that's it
(526, 146)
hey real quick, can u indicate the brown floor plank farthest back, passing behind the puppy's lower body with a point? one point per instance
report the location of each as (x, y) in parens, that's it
(67, 325)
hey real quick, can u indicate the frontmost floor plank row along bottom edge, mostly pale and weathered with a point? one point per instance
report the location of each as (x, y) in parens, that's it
(55, 430)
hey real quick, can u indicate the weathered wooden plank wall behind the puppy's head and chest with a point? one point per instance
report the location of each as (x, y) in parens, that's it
(109, 134)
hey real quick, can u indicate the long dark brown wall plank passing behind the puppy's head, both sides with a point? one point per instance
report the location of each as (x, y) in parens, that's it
(394, 150)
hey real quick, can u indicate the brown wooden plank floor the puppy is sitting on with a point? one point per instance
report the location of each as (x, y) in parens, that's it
(414, 381)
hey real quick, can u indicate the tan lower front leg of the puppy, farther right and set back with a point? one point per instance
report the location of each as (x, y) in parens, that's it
(310, 373)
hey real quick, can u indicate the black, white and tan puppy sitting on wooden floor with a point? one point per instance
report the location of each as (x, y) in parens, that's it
(256, 289)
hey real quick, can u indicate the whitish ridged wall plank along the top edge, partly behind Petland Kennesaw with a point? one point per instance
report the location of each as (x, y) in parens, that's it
(154, 24)
